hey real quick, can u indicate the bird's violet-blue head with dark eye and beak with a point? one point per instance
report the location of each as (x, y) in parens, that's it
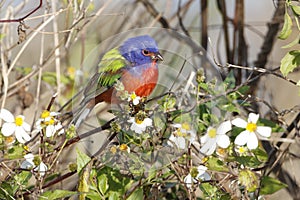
(140, 50)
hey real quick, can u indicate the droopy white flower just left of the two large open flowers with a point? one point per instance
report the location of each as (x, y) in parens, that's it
(182, 133)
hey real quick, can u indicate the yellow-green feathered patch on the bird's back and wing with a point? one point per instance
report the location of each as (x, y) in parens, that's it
(110, 68)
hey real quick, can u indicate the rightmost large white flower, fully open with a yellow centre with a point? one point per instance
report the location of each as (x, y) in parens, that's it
(249, 136)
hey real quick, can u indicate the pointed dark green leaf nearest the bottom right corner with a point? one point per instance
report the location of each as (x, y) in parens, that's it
(270, 185)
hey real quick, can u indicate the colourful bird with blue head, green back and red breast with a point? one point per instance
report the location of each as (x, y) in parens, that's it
(134, 64)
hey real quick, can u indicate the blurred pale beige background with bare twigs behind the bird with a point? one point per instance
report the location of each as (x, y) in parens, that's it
(65, 40)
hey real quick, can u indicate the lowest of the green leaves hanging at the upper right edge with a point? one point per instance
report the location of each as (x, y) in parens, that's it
(289, 62)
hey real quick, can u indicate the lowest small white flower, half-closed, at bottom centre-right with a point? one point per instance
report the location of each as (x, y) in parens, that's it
(195, 175)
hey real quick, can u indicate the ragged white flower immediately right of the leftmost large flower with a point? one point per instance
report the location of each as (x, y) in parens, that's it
(49, 121)
